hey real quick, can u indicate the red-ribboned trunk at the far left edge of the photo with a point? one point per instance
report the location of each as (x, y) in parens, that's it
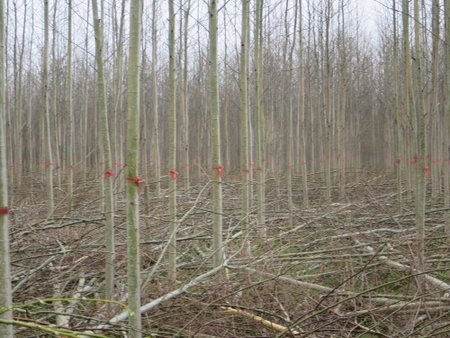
(6, 331)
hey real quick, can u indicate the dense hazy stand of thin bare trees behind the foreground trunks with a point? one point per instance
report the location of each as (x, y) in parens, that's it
(335, 90)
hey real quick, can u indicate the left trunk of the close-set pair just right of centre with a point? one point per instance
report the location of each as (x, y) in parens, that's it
(244, 149)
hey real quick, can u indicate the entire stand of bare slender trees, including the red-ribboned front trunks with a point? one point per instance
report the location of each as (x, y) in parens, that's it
(306, 92)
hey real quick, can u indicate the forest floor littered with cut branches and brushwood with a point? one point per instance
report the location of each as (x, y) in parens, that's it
(342, 270)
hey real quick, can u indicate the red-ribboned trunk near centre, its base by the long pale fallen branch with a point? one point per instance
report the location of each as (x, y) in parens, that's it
(218, 251)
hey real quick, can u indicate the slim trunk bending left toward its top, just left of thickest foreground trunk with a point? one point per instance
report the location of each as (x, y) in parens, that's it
(105, 146)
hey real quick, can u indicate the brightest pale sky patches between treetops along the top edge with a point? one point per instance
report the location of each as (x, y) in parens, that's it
(369, 13)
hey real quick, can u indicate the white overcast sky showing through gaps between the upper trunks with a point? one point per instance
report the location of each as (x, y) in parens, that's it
(367, 12)
